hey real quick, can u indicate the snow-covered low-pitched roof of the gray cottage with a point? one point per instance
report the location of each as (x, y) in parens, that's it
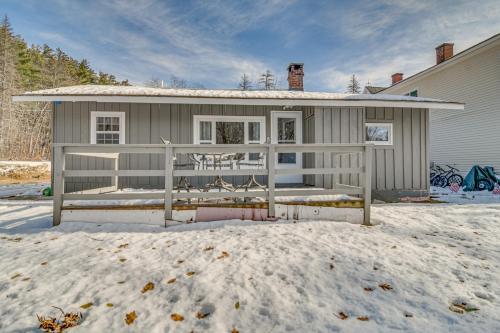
(126, 93)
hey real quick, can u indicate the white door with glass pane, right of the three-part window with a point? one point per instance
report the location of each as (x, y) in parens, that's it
(286, 128)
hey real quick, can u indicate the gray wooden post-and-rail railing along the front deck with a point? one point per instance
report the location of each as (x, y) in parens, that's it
(169, 151)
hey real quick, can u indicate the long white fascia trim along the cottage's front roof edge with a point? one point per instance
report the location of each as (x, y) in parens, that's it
(242, 101)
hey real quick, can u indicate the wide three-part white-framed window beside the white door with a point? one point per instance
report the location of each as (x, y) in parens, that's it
(230, 130)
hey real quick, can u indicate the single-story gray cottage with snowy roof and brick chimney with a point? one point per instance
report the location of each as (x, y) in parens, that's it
(397, 126)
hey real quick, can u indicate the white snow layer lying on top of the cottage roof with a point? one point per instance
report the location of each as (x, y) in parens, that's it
(107, 90)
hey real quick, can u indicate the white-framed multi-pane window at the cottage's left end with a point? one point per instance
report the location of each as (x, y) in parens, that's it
(107, 127)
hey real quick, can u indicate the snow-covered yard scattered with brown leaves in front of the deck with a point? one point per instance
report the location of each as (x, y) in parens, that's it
(256, 277)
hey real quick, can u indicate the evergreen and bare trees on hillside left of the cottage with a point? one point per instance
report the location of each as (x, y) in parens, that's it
(25, 128)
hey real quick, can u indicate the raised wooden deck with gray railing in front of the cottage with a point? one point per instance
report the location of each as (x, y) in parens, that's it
(174, 200)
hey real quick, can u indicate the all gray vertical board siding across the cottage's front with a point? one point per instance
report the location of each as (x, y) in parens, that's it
(401, 166)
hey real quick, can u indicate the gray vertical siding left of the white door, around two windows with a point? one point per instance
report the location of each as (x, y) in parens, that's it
(144, 123)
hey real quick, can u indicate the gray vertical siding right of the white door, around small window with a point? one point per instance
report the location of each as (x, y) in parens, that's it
(402, 166)
